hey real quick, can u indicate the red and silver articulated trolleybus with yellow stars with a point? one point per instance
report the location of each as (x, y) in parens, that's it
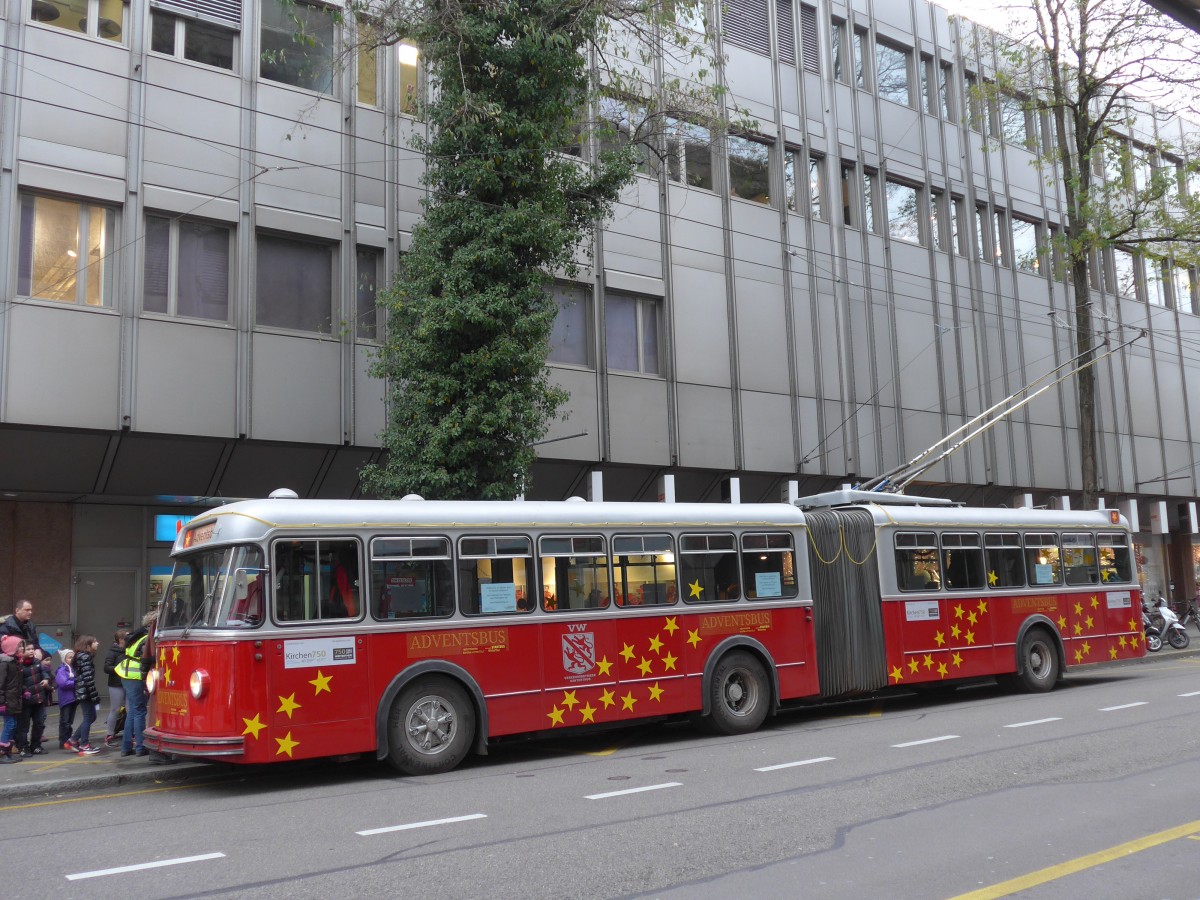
(421, 631)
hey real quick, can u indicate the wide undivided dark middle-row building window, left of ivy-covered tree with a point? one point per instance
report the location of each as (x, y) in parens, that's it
(295, 284)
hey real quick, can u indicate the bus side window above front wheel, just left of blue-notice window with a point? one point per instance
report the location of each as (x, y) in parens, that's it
(412, 578)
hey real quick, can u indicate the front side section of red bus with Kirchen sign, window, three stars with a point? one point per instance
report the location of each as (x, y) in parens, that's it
(319, 698)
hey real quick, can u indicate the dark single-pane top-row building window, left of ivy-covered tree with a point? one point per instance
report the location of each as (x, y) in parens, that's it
(303, 64)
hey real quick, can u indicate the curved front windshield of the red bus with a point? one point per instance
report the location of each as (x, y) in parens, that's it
(221, 587)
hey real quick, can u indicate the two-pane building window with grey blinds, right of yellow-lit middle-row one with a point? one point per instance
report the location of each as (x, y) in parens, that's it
(187, 268)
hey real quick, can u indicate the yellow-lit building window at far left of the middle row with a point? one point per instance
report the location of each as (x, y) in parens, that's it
(67, 251)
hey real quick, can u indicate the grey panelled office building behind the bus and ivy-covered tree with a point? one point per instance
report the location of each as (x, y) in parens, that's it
(191, 236)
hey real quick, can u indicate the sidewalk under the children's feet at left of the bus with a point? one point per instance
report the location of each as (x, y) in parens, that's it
(58, 772)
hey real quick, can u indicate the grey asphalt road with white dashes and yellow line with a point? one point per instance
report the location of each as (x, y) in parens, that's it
(1082, 793)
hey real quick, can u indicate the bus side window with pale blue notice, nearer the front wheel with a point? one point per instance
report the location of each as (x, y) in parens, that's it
(495, 575)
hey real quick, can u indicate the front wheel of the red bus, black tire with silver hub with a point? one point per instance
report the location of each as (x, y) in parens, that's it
(431, 727)
